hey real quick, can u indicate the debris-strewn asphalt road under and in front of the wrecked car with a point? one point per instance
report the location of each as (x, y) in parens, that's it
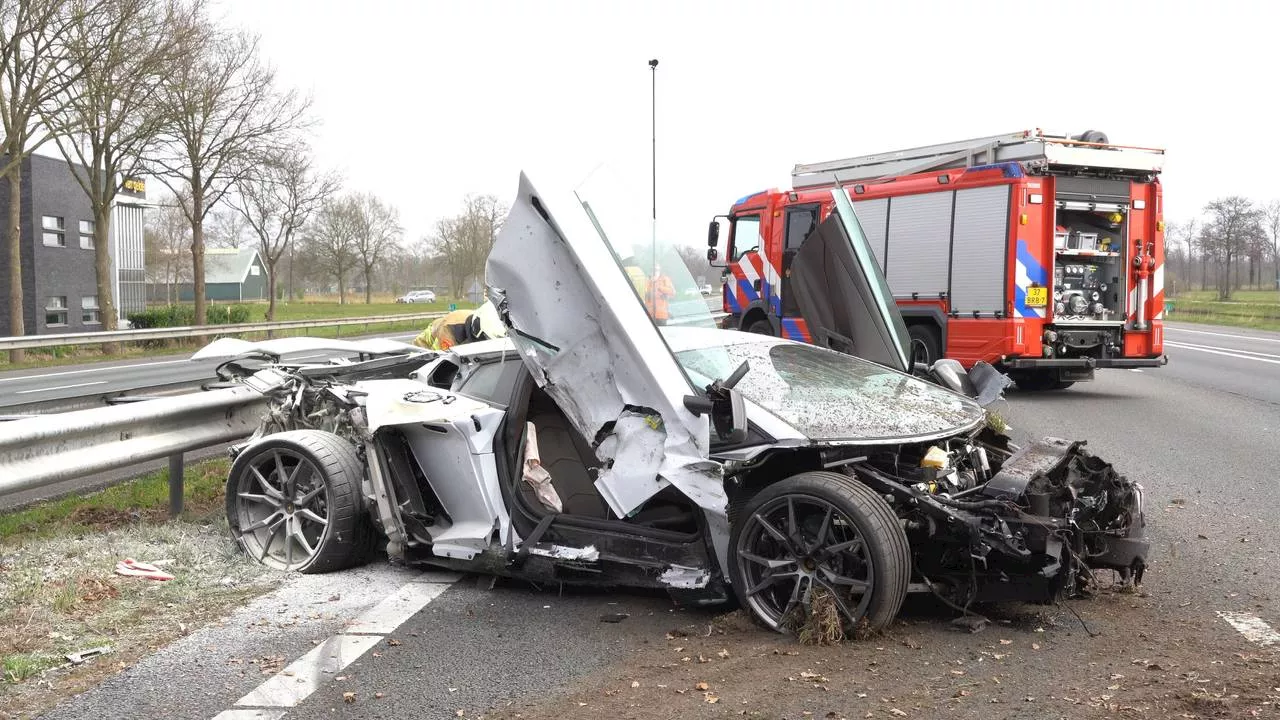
(1201, 435)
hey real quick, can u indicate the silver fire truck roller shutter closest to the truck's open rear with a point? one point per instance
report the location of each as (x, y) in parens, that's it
(980, 250)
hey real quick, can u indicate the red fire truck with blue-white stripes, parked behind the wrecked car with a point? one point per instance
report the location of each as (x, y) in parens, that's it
(1040, 254)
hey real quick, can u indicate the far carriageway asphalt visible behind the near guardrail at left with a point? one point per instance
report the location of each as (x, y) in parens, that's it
(19, 388)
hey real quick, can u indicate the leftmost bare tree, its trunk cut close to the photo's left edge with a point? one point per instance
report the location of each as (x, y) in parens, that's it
(35, 76)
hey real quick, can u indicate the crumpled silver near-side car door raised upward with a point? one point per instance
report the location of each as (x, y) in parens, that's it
(575, 315)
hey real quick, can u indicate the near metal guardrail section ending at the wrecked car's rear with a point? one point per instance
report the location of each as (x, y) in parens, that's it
(44, 450)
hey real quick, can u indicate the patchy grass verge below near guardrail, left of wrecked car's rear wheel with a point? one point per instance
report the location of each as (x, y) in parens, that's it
(60, 593)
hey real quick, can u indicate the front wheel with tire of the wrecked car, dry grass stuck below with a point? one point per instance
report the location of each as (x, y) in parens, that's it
(868, 526)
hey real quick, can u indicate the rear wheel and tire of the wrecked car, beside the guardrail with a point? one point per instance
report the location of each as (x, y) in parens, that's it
(324, 475)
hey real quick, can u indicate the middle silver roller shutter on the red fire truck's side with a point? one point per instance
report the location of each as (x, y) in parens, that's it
(920, 244)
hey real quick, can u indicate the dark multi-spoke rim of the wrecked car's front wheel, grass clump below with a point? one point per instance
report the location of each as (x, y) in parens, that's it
(798, 544)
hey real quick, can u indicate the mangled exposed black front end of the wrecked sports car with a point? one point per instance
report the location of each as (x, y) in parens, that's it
(1030, 525)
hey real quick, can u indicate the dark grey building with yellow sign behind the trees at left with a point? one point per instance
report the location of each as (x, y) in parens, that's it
(57, 227)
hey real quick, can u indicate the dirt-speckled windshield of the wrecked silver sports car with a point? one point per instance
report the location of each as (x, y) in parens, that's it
(829, 395)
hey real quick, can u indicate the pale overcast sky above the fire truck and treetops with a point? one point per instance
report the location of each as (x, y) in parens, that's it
(423, 103)
